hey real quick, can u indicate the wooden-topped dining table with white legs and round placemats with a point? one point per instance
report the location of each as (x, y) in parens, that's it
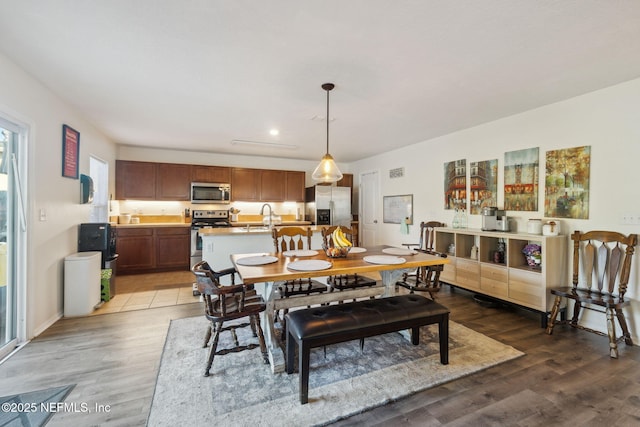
(279, 268)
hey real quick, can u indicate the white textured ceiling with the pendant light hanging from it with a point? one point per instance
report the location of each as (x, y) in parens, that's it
(197, 74)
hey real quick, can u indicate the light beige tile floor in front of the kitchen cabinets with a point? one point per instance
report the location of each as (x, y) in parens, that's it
(142, 291)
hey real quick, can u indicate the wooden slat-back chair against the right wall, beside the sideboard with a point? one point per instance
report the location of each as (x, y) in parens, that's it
(601, 284)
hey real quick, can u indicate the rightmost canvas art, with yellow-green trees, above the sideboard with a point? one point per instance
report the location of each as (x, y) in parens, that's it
(567, 183)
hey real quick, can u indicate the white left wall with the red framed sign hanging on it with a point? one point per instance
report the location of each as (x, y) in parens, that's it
(26, 100)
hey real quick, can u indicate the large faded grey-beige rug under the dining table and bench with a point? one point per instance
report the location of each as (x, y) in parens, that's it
(242, 391)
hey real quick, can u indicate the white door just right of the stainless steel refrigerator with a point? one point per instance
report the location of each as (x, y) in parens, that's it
(369, 208)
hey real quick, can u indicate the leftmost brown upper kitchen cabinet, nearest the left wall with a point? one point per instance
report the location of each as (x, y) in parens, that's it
(135, 180)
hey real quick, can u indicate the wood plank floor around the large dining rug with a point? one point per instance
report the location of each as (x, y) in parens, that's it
(564, 379)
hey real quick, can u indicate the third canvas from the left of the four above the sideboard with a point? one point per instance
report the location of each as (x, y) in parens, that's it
(521, 180)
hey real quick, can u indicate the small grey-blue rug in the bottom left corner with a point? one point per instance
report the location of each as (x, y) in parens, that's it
(32, 409)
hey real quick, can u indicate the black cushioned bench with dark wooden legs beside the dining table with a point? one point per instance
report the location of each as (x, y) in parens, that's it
(332, 324)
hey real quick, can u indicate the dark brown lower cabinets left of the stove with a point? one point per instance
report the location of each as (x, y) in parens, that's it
(150, 249)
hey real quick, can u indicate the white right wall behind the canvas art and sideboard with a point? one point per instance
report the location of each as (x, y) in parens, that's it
(607, 120)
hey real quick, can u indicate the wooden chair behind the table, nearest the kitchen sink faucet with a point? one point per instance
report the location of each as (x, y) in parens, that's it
(292, 239)
